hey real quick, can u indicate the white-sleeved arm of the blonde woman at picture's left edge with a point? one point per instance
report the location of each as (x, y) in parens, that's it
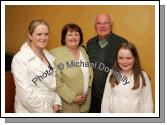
(24, 89)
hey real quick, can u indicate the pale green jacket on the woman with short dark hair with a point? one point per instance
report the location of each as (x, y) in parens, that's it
(70, 80)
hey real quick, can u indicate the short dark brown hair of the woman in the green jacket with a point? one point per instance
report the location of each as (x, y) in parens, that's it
(71, 27)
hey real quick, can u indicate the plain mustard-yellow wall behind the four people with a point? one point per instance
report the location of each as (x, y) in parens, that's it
(135, 23)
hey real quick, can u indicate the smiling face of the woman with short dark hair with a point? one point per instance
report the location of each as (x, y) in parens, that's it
(72, 39)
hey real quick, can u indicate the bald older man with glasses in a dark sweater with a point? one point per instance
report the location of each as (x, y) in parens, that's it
(102, 52)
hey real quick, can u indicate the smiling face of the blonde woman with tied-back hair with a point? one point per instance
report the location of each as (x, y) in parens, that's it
(39, 37)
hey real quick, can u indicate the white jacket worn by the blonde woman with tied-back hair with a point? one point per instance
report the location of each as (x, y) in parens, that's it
(35, 82)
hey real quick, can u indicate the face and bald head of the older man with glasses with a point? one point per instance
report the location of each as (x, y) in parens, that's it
(103, 25)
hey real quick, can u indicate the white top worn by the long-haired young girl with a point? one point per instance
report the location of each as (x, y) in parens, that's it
(122, 99)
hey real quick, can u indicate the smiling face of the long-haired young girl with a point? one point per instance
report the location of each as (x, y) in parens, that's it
(125, 60)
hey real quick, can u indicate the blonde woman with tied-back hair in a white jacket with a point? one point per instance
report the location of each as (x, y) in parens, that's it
(34, 73)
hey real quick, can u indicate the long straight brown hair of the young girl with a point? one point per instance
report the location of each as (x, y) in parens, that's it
(137, 70)
